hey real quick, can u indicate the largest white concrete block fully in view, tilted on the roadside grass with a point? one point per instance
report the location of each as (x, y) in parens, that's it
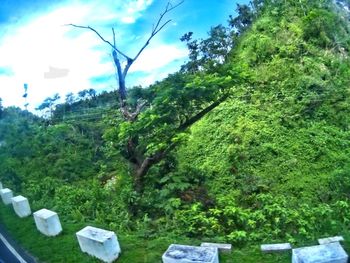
(99, 243)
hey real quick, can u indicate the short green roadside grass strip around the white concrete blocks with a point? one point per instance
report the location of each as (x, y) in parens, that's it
(65, 248)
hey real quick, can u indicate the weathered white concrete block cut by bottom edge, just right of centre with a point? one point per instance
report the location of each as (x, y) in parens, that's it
(190, 254)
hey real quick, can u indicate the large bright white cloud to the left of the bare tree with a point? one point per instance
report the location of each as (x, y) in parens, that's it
(33, 48)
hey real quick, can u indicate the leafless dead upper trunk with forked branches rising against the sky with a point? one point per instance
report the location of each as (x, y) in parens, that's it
(128, 114)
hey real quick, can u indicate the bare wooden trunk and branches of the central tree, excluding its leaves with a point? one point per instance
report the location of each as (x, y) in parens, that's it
(137, 156)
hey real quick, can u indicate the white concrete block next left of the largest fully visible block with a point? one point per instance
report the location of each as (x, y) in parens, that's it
(47, 222)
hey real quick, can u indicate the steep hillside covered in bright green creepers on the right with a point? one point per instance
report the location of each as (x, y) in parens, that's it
(275, 157)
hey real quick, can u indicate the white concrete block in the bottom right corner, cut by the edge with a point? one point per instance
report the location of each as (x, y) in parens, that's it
(327, 253)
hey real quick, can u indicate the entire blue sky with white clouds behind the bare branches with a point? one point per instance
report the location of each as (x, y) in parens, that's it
(38, 49)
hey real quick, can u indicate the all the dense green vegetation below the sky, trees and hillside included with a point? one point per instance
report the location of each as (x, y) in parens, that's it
(248, 142)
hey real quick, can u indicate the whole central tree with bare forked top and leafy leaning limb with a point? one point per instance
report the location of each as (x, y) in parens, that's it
(147, 135)
